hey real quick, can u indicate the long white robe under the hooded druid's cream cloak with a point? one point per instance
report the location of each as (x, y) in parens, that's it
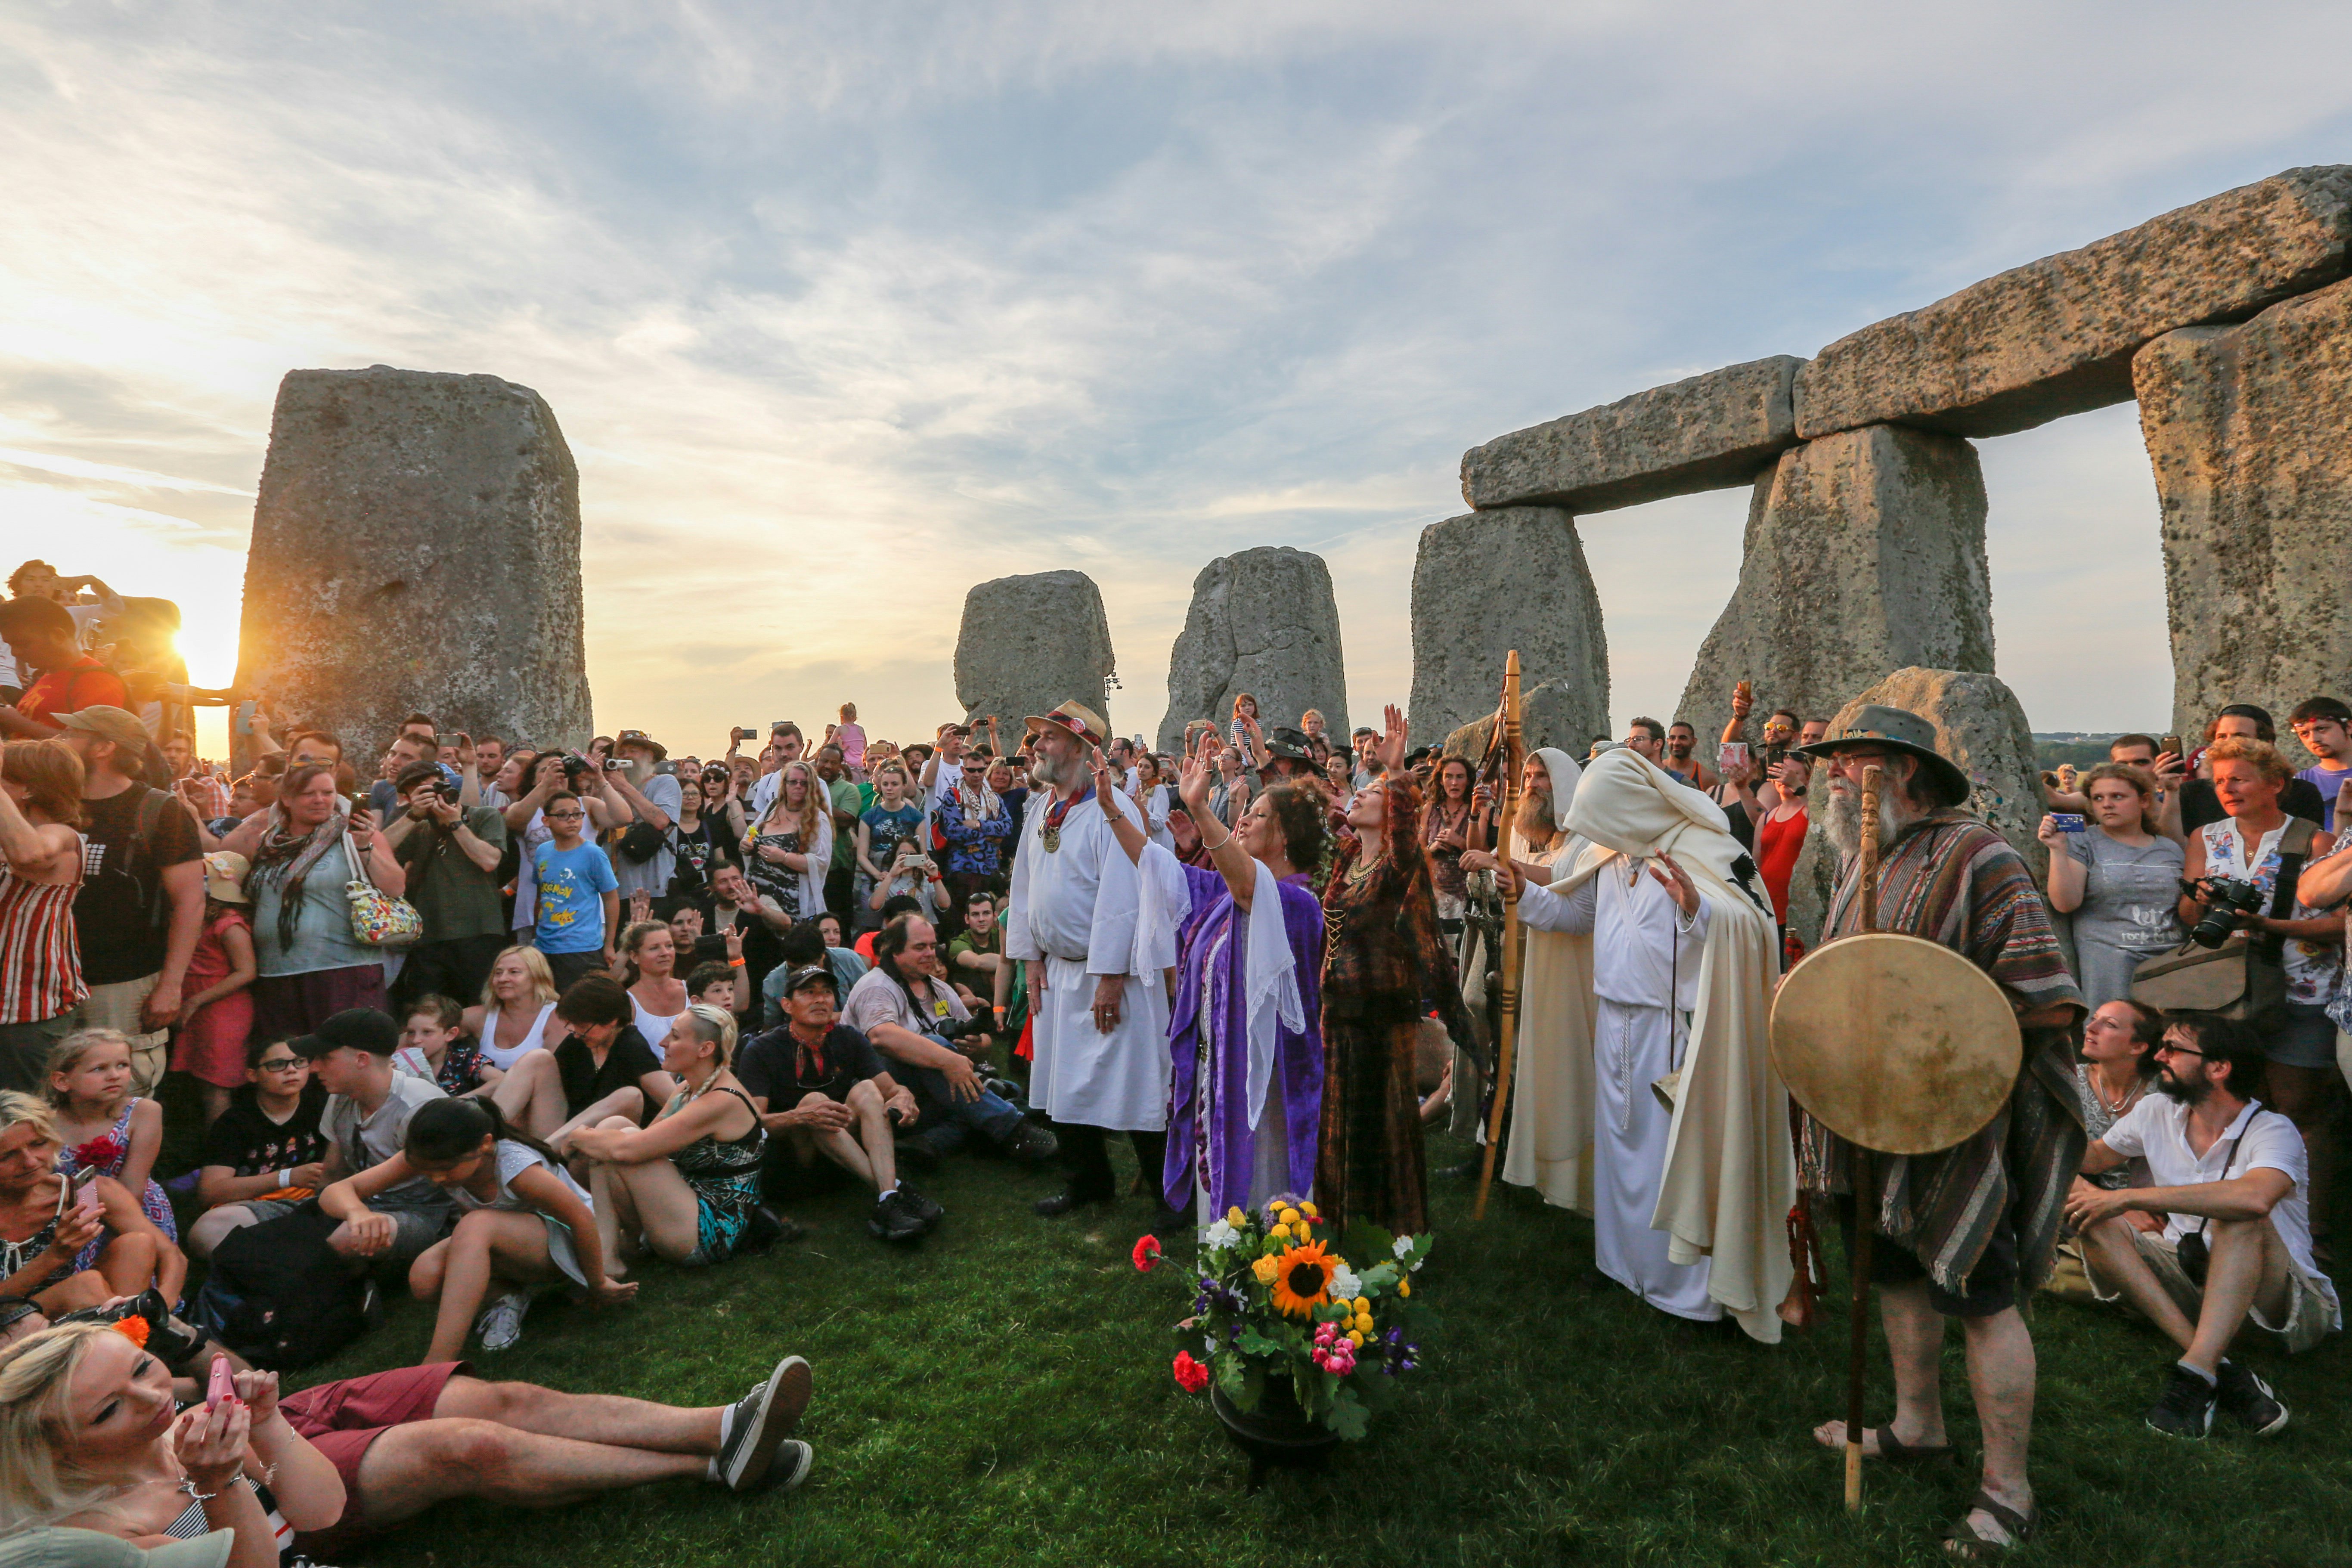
(1645, 986)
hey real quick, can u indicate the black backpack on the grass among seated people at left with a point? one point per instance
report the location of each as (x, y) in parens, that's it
(281, 1296)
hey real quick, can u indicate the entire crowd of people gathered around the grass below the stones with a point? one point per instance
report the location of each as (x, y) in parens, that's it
(488, 1019)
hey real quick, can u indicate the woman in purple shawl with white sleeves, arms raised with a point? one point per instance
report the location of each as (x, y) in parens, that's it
(1245, 1036)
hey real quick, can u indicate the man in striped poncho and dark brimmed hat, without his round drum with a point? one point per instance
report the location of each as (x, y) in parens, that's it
(1965, 1233)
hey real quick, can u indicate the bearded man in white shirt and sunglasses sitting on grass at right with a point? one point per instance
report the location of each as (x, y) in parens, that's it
(2231, 1181)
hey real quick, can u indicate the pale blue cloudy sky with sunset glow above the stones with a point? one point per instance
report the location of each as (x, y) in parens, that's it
(850, 307)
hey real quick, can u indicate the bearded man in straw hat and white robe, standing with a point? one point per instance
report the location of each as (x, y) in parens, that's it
(1102, 1033)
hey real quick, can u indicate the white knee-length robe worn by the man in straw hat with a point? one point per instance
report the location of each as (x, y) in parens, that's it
(1076, 909)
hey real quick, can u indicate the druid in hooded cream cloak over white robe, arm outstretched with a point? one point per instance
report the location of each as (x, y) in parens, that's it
(1728, 1172)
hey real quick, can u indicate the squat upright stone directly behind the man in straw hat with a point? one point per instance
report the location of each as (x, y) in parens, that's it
(1031, 643)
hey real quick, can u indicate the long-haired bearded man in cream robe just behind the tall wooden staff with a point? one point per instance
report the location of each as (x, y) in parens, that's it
(1551, 1090)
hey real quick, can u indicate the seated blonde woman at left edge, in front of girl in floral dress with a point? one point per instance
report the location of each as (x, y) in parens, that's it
(55, 1249)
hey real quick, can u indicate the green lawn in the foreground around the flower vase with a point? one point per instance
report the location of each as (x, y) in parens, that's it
(1003, 1395)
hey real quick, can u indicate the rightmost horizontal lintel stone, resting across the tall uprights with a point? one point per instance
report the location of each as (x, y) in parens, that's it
(2057, 337)
